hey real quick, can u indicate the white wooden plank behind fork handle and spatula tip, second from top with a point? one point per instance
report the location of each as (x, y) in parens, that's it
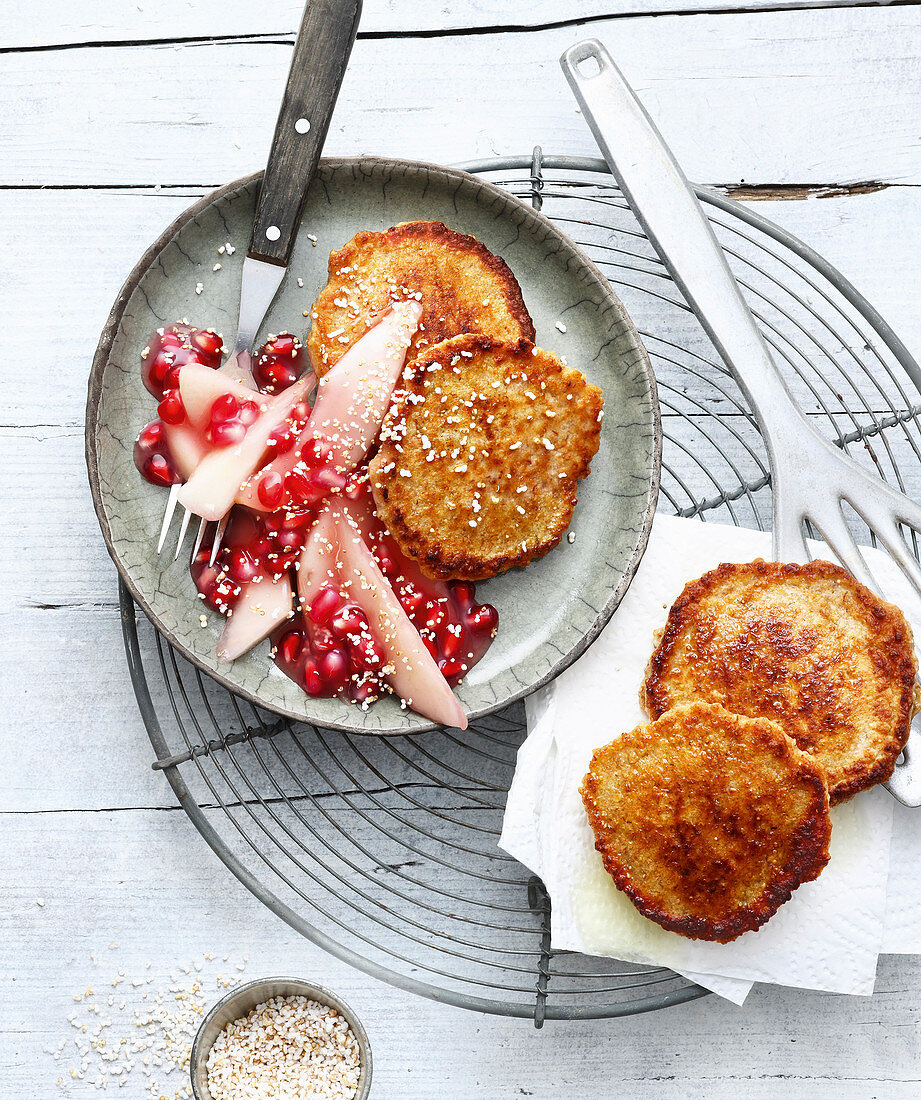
(754, 98)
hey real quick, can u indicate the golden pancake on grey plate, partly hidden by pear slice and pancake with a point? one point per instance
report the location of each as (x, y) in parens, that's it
(462, 285)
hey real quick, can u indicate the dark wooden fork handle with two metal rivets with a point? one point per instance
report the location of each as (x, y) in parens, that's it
(319, 65)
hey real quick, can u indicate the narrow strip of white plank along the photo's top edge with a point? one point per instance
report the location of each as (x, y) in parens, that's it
(100, 21)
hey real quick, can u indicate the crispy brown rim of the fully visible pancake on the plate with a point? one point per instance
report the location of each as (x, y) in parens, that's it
(458, 565)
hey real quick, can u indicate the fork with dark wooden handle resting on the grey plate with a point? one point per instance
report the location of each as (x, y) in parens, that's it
(319, 64)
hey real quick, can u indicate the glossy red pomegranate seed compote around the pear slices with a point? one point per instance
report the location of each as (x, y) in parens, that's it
(330, 647)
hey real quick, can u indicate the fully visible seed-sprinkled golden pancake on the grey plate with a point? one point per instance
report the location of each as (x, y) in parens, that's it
(481, 456)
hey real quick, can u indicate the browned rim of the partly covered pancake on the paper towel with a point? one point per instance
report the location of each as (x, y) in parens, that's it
(653, 691)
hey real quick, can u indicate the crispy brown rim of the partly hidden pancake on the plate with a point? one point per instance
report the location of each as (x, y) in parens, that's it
(431, 230)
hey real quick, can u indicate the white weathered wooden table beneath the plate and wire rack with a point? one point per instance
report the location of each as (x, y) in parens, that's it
(114, 117)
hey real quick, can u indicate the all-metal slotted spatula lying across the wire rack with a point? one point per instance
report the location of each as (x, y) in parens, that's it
(812, 478)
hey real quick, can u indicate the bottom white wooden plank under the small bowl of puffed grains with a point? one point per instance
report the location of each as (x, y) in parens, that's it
(146, 883)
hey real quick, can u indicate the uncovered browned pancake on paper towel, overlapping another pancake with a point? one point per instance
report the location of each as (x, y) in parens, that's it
(708, 821)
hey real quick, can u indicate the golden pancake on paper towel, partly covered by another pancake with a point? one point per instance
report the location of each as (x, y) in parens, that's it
(806, 646)
